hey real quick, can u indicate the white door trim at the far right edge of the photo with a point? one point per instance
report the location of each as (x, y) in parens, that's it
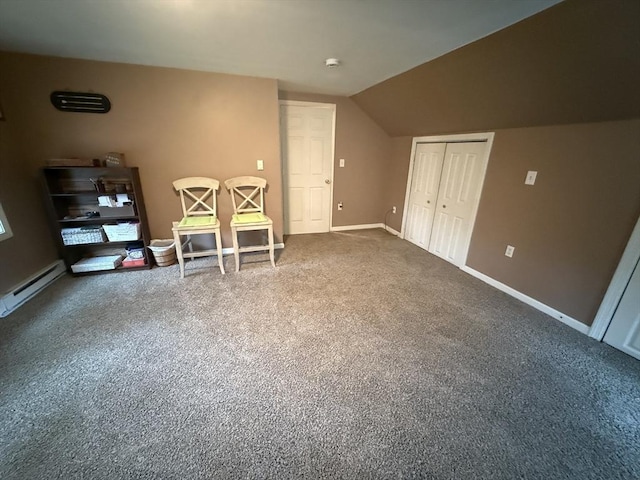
(618, 284)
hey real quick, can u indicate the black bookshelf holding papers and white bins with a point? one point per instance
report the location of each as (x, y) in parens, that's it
(71, 195)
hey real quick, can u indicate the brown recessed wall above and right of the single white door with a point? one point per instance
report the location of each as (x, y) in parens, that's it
(366, 149)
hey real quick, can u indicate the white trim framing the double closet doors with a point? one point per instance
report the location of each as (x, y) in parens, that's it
(458, 138)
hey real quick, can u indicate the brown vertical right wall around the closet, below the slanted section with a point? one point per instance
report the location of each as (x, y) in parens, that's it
(569, 230)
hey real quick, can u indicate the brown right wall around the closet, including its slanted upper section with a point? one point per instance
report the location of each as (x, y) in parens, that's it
(560, 91)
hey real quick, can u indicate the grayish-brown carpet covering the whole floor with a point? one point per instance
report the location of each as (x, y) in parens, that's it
(359, 356)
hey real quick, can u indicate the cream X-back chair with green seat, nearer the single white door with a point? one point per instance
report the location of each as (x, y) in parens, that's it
(247, 197)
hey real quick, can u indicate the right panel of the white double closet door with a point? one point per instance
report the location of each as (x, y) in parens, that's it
(458, 195)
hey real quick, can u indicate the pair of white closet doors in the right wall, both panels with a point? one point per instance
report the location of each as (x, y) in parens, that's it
(445, 190)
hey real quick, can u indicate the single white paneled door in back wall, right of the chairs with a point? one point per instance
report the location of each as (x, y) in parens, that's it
(307, 159)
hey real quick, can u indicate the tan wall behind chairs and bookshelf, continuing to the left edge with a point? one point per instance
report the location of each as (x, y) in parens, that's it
(170, 123)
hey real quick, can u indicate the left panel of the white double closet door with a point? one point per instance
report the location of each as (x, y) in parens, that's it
(427, 167)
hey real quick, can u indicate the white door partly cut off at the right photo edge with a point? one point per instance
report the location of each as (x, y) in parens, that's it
(624, 330)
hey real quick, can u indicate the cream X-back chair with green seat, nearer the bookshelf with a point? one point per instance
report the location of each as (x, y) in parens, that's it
(200, 217)
